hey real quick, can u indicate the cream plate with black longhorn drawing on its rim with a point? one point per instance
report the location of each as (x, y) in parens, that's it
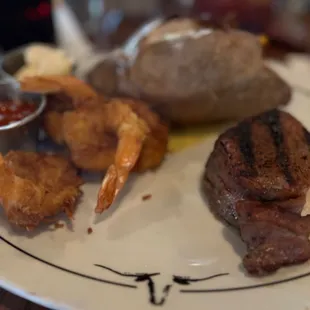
(162, 252)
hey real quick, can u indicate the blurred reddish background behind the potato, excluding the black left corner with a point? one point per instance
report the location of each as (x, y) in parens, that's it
(286, 22)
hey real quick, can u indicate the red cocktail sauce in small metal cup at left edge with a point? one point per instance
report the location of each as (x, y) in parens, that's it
(11, 111)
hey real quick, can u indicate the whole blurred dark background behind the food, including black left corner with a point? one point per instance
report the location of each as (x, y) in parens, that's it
(109, 22)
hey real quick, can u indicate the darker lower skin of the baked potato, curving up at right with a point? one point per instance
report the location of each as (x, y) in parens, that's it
(266, 91)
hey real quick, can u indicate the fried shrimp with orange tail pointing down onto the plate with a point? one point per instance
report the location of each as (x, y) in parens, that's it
(121, 136)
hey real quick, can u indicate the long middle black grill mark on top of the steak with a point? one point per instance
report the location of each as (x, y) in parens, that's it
(273, 123)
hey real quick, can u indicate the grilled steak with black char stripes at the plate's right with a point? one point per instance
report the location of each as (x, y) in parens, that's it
(257, 179)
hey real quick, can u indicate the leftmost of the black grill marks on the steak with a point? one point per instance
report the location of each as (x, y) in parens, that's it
(244, 134)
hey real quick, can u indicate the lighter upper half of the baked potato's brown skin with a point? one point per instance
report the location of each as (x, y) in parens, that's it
(191, 65)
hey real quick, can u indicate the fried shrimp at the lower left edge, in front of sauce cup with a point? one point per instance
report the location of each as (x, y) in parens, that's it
(36, 186)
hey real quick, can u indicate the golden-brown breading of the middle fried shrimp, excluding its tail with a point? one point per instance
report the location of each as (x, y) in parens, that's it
(92, 134)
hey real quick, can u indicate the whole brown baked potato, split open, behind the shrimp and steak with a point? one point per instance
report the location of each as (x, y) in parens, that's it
(192, 73)
